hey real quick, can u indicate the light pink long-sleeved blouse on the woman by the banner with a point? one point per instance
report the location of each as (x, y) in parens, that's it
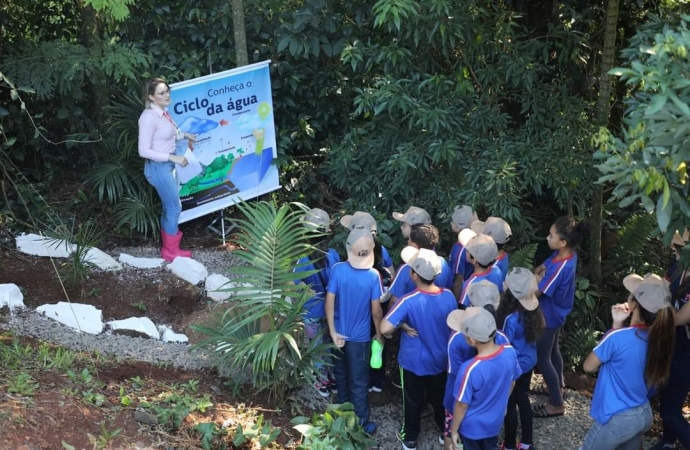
(157, 134)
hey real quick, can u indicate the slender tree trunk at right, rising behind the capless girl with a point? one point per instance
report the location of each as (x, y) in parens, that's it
(602, 117)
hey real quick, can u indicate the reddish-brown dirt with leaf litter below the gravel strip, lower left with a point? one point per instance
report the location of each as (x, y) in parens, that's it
(60, 412)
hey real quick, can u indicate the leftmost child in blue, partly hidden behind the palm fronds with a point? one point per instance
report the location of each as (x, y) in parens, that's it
(321, 260)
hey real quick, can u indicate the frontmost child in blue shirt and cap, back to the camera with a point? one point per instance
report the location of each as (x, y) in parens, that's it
(484, 383)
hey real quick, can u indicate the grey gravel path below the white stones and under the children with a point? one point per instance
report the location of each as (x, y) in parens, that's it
(560, 433)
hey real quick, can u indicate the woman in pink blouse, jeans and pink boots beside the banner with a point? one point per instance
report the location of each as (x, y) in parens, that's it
(157, 136)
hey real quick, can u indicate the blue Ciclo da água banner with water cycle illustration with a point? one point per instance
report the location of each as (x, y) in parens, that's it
(232, 159)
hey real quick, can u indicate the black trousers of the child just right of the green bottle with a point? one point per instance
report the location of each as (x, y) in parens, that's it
(414, 389)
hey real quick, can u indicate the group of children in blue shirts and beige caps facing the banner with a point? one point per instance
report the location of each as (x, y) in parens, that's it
(472, 331)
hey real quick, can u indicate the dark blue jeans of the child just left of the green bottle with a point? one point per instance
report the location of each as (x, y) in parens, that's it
(351, 370)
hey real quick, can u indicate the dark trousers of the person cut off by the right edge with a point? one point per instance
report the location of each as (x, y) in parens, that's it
(674, 394)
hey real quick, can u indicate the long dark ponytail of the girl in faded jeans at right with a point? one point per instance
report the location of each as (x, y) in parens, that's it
(660, 342)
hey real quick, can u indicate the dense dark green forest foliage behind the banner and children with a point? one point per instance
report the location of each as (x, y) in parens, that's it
(378, 105)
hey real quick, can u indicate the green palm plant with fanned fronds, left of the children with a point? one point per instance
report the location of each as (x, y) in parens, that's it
(262, 333)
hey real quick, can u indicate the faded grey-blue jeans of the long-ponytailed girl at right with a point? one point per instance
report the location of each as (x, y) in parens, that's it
(624, 431)
